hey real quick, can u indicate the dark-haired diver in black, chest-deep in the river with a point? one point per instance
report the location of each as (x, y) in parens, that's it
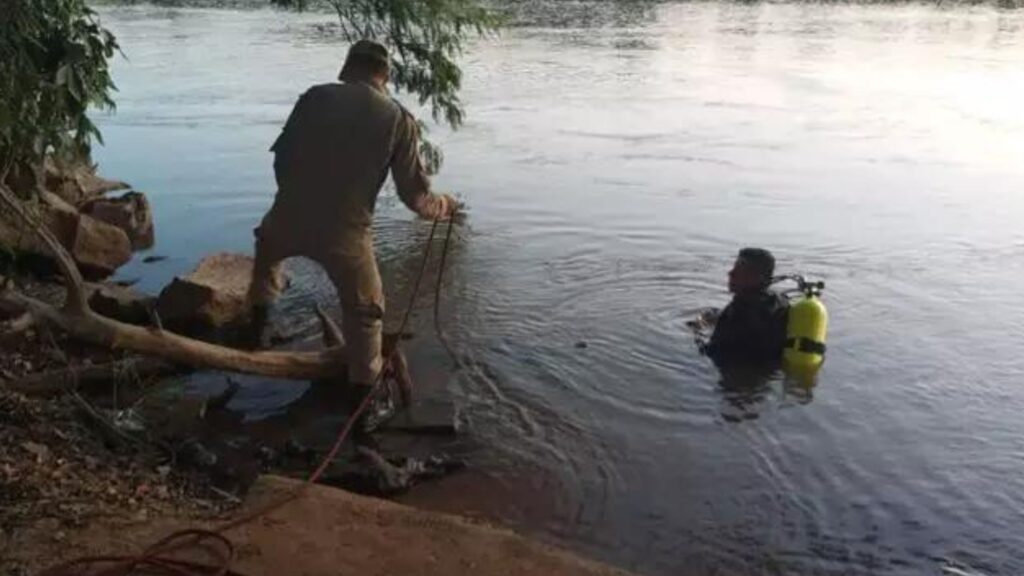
(752, 330)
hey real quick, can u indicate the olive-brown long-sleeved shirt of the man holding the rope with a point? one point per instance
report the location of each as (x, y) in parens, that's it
(334, 154)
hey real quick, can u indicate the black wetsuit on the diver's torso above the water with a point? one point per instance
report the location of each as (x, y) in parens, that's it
(751, 331)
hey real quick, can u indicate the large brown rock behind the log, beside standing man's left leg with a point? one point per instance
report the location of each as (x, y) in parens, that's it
(212, 297)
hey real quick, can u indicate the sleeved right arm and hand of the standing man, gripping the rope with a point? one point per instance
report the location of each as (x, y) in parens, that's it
(411, 177)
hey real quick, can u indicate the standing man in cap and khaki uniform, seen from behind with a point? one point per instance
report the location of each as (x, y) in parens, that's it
(331, 160)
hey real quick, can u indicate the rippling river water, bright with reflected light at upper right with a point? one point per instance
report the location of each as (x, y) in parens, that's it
(615, 159)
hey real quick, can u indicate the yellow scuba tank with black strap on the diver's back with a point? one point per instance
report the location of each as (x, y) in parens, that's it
(807, 330)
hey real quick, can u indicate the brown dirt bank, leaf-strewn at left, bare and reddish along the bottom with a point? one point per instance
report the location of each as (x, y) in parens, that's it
(70, 489)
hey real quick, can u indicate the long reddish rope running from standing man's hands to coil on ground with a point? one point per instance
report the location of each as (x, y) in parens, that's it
(154, 561)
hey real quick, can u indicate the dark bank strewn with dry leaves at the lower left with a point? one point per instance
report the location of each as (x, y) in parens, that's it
(64, 467)
